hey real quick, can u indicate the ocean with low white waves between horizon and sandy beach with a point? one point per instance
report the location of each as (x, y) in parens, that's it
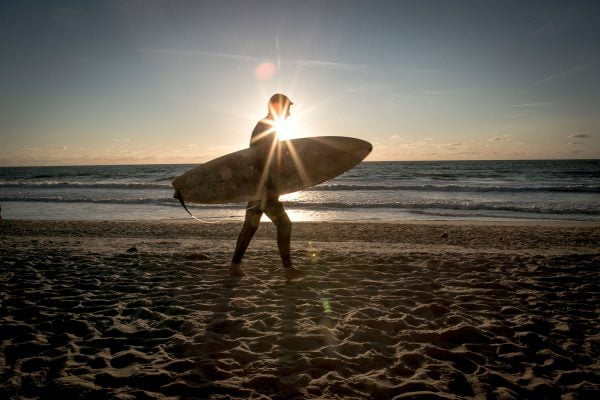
(373, 191)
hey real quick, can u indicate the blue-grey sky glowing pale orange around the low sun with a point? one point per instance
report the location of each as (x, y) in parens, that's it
(135, 82)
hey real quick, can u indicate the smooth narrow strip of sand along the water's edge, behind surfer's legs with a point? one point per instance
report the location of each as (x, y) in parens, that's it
(432, 232)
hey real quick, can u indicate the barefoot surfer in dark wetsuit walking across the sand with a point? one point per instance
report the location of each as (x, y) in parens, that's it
(264, 137)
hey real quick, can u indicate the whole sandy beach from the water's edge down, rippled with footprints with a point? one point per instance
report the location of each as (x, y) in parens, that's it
(418, 310)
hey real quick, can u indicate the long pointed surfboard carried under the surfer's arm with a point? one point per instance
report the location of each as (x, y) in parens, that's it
(295, 164)
